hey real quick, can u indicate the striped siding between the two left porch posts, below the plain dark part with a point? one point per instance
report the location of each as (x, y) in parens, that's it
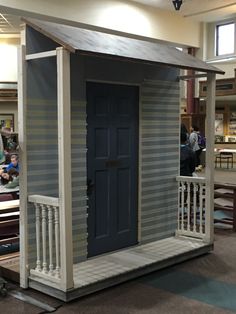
(42, 158)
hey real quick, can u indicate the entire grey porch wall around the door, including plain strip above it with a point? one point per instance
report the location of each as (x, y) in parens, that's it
(159, 127)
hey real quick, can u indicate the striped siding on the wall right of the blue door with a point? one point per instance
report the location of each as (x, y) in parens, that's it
(159, 121)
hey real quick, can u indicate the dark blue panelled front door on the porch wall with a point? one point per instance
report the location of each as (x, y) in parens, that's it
(112, 166)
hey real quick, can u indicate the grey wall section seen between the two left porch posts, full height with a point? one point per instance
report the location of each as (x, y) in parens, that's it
(41, 138)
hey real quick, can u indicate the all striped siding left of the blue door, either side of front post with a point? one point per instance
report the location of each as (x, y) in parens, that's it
(42, 149)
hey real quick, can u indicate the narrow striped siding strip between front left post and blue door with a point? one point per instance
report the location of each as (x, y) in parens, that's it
(79, 180)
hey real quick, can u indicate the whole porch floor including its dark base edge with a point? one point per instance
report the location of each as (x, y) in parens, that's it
(110, 269)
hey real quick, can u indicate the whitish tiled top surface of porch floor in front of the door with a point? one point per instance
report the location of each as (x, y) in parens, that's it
(120, 262)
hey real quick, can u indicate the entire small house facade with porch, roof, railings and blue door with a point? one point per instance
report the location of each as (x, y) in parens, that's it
(99, 141)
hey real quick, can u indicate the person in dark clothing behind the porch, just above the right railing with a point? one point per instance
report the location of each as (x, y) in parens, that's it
(187, 158)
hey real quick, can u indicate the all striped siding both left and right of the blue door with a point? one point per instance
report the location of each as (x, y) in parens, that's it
(159, 127)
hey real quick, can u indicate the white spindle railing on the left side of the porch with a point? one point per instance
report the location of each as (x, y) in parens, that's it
(47, 237)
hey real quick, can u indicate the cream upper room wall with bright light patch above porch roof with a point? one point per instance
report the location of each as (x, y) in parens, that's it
(114, 15)
